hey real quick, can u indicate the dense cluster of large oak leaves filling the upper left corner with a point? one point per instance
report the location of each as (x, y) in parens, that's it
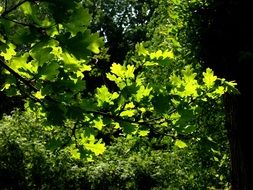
(53, 64)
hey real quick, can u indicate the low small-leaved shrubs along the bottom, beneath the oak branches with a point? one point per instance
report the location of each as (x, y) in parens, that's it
(28, 159)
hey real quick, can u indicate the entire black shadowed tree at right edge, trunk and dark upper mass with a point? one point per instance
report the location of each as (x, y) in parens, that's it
(226, 45)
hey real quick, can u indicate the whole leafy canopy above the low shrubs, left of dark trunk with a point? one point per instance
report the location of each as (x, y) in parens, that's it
(93, 71)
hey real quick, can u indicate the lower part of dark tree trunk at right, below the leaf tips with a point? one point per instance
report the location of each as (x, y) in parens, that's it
(240, 145)
